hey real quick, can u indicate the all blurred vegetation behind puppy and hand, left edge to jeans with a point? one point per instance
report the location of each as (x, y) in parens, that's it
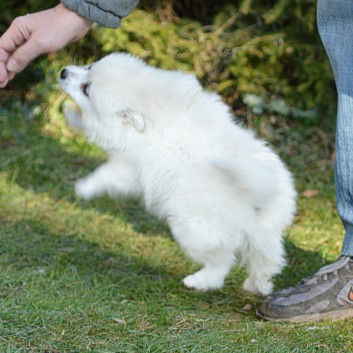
(264, 57)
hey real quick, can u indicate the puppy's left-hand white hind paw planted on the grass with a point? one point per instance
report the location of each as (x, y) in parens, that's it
(203, 280)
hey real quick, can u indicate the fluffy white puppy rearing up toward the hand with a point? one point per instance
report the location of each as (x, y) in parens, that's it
(224, 193)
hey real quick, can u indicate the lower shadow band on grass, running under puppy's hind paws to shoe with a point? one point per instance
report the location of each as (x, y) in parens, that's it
(33, 245)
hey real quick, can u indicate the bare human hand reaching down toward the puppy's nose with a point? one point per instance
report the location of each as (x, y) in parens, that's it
(35, 34)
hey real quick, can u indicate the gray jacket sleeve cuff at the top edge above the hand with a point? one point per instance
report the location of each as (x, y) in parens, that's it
(107, 13)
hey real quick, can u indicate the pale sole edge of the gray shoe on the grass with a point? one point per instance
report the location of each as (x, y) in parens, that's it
(339, 315)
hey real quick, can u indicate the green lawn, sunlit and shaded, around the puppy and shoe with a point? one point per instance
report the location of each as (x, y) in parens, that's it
(104, 276)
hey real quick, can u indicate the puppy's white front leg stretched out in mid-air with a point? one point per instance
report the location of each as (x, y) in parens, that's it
(112, 178)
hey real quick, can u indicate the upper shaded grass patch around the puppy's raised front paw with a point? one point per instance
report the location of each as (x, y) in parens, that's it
(41, 164)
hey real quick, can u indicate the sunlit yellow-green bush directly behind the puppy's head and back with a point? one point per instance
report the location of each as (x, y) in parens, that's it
(241, 52)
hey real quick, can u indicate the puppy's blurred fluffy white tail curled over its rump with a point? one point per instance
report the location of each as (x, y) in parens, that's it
(257, 177)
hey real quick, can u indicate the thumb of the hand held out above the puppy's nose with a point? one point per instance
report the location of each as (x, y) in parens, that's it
(22, 56)
